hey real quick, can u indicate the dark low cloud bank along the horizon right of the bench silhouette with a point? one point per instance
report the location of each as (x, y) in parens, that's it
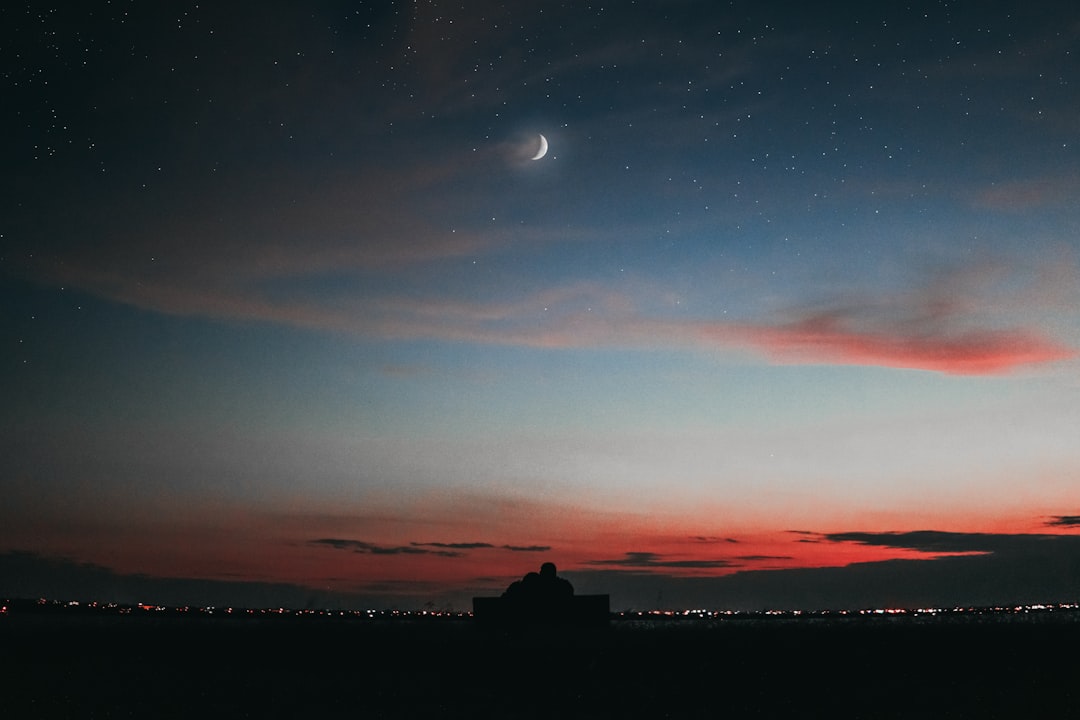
(993, 569)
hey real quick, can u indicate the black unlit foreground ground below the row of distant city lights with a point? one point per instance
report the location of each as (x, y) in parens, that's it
(181, 669)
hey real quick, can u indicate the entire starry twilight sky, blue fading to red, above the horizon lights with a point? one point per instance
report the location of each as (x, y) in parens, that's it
(788, 314)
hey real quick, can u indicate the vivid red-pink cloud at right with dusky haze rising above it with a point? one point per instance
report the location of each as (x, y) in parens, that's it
(969, 320)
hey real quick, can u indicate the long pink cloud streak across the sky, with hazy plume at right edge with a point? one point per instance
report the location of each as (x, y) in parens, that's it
(953, 325)
